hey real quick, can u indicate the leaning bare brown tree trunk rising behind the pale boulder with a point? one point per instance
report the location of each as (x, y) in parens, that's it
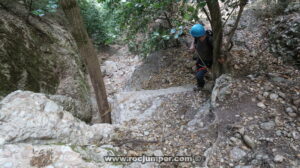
(87, 51)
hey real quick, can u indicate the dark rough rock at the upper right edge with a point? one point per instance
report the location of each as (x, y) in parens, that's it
(284, 36)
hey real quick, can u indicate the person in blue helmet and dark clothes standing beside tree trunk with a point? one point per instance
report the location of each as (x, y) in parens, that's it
(203, 44)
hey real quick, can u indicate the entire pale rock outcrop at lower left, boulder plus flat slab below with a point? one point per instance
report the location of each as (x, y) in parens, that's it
(37, 132)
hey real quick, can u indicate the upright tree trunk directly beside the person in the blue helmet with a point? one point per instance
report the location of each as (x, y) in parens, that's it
(217, 28)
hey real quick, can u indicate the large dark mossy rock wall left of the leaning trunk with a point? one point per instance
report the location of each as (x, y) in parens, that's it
(41, 56)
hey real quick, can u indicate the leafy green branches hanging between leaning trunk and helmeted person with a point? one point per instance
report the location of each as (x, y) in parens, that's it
(153, 24)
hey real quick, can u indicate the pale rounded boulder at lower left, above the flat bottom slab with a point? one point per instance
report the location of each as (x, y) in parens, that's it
(33, 118)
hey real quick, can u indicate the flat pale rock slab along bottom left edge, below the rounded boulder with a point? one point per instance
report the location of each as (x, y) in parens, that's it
(60, 156)
